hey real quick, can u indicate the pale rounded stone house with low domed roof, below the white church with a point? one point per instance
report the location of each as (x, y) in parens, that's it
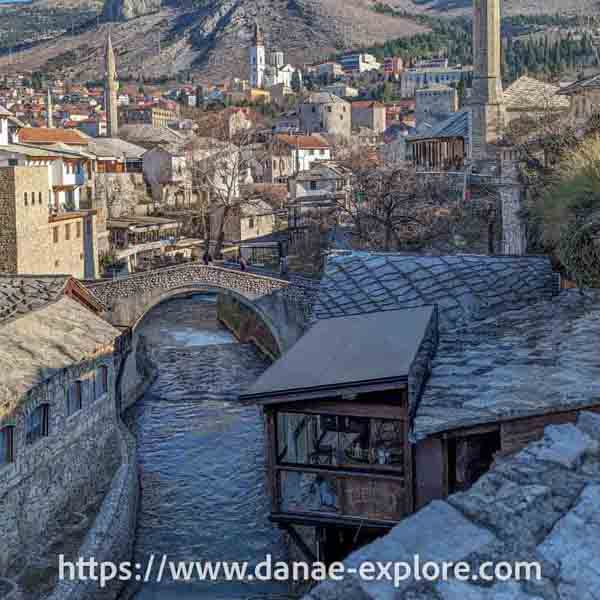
(325, 113)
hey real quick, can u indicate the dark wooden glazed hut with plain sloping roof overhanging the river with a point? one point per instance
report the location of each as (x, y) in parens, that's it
(337, 409)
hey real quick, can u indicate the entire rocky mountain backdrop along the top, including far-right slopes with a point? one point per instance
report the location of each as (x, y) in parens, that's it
(160, 38)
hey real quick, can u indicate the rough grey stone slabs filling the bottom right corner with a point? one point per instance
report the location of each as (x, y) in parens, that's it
(542, 504)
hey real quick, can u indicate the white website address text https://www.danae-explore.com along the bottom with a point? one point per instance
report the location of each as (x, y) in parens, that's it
(159, 568)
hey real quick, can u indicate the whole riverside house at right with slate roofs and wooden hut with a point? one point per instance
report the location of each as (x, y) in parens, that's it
(417, 374)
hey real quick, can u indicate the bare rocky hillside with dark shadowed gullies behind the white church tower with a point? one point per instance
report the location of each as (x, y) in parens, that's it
(211, 37)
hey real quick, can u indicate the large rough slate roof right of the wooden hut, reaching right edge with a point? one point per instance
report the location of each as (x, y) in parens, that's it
(538, 359)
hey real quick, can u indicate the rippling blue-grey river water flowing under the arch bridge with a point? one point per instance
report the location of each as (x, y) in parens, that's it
(201, 455)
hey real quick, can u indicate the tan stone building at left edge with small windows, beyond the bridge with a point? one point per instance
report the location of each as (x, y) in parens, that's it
(35, 241)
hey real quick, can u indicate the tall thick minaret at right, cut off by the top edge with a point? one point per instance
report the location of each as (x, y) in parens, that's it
(487, 100)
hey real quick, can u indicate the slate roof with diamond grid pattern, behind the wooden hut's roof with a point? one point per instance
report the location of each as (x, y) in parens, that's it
(465, 287)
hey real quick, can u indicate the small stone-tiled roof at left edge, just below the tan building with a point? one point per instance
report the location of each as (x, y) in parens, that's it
(22, 294)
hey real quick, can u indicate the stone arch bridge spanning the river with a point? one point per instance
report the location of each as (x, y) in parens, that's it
(256, 307)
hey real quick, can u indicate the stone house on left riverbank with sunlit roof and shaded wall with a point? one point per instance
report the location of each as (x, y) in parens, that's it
(59, 435)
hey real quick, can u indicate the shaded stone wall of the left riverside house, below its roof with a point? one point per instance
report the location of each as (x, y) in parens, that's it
(49, 495)
